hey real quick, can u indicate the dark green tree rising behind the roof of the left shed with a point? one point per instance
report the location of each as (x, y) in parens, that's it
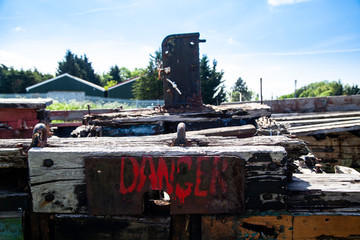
(79, 67)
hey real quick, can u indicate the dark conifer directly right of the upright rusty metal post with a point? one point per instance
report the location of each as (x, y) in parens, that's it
(212, 87)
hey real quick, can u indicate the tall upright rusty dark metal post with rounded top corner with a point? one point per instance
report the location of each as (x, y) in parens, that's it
(180, 71)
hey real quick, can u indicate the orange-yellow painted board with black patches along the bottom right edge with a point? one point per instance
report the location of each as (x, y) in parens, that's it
(281, 227)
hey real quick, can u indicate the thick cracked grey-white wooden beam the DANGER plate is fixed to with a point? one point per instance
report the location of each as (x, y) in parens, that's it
(58, 182)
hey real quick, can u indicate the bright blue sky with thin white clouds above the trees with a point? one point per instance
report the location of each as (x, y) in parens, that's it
(277, 40)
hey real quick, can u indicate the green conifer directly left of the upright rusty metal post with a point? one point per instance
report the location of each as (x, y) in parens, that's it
(149, 86)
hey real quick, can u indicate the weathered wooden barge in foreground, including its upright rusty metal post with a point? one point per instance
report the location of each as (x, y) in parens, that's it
(192, 172)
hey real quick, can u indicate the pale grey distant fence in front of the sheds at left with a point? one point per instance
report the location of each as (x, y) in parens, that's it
(125, 102)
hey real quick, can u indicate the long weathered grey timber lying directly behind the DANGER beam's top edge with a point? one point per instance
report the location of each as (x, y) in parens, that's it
(290, 144)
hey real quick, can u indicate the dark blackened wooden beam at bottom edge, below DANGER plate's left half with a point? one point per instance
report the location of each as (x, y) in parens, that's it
(121, 227)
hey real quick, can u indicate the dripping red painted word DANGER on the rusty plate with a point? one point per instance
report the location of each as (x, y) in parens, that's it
(180, 177)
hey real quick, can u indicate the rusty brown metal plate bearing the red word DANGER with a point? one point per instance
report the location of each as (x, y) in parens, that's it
(195, 184)
